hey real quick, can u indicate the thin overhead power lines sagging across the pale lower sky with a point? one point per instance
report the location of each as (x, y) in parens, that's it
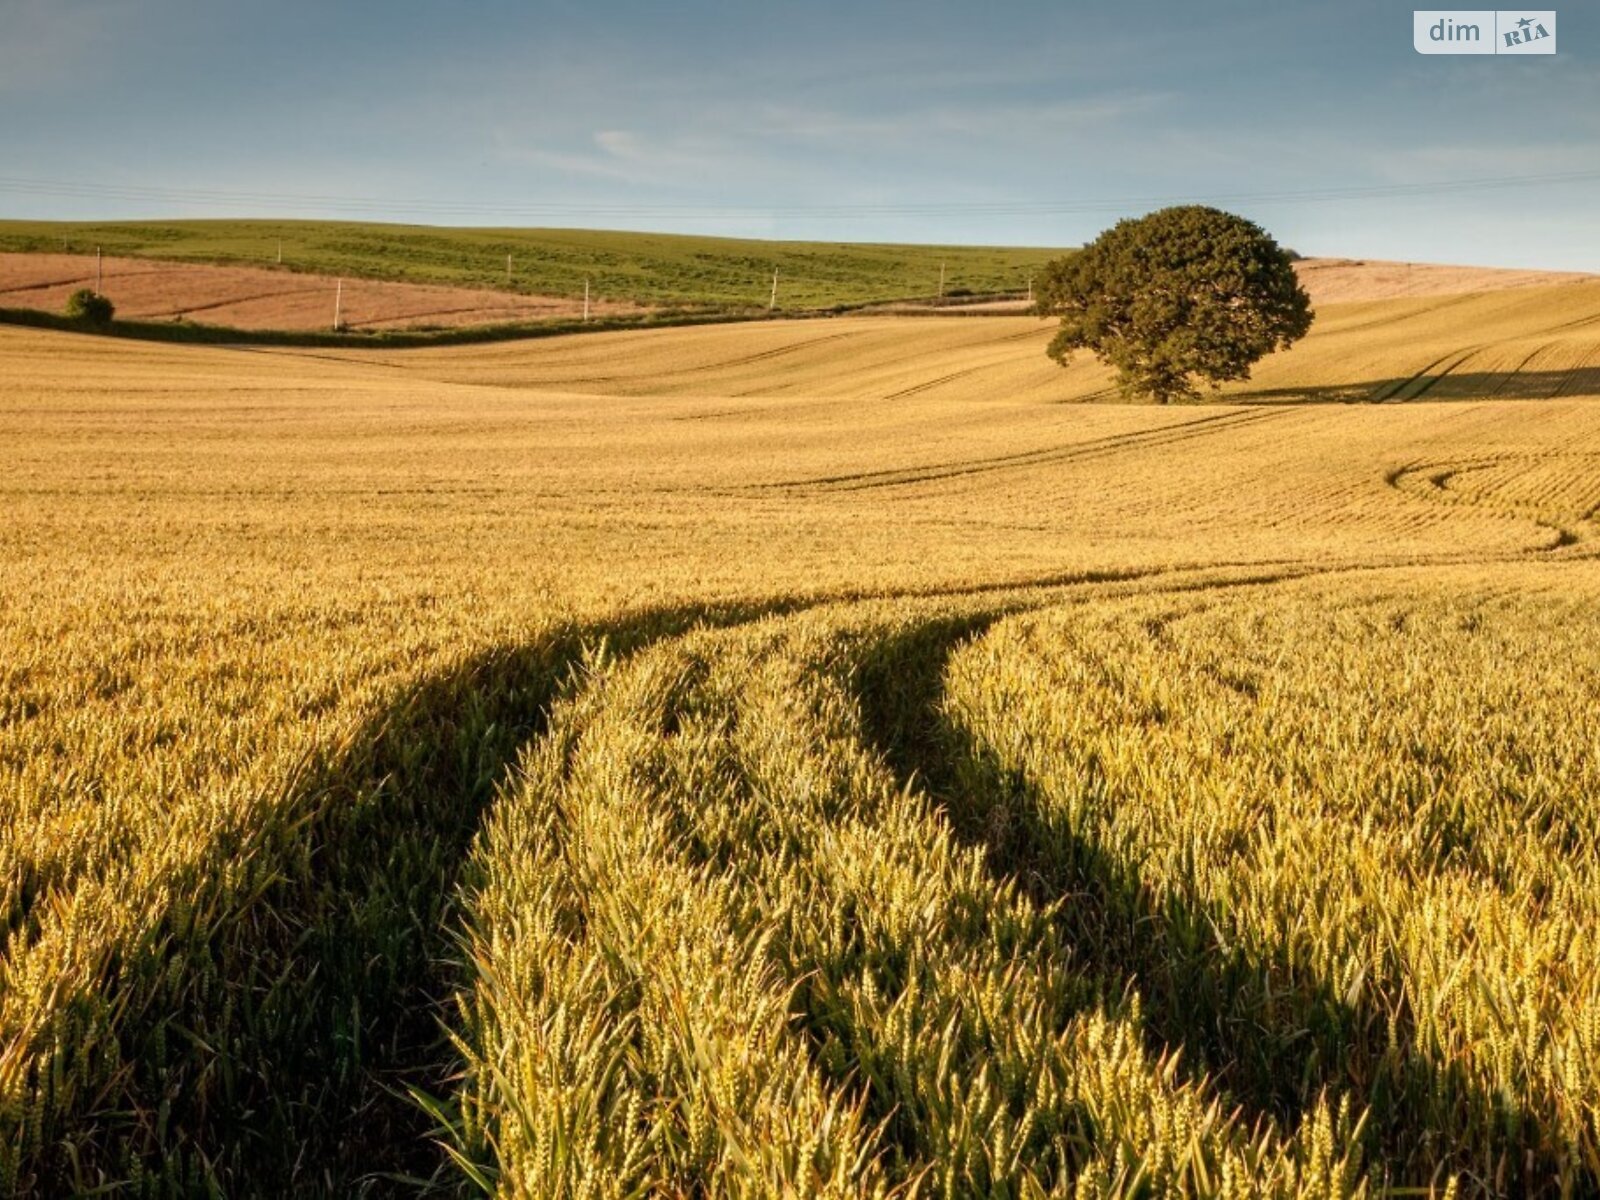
(463, 209)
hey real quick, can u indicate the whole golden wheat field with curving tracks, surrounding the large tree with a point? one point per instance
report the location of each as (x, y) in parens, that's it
(809, 759)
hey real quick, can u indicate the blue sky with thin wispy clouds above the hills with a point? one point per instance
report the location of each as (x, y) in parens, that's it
(994, 122)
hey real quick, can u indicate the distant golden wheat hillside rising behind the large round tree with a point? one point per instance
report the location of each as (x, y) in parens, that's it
(1518, 343)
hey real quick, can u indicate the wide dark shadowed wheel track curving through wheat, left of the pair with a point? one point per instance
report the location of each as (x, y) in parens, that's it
(266, 1034)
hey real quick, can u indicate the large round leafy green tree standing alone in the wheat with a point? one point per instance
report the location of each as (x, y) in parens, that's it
(1183, 294)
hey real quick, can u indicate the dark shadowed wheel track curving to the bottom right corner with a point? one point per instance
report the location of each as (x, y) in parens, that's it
(1273, 1036)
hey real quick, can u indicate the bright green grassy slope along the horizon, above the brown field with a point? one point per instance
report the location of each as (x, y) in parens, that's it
(646, 268)
